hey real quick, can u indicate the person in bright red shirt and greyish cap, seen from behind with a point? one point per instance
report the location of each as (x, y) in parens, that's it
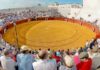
(86, 62)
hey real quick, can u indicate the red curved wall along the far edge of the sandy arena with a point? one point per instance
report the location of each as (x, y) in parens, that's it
(83, 23)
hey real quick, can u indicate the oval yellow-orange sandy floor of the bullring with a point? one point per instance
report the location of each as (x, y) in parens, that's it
(52, 34)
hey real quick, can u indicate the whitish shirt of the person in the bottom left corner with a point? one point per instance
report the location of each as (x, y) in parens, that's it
(7, 63)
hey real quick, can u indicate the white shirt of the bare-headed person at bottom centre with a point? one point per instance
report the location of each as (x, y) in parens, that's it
(44, 65)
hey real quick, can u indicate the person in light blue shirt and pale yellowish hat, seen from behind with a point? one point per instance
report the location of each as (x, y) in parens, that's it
(25, 59)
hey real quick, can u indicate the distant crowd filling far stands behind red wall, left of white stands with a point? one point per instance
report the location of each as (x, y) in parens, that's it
(26, 13)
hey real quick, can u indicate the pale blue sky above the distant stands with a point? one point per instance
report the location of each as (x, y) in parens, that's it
(4, 4)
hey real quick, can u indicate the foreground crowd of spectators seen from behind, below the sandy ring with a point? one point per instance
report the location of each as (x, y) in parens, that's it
(86, 58)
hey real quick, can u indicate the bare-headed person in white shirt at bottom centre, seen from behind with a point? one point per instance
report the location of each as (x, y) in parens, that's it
(43, 63)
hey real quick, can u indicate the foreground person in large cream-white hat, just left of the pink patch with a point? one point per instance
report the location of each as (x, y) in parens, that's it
(69, 64)
